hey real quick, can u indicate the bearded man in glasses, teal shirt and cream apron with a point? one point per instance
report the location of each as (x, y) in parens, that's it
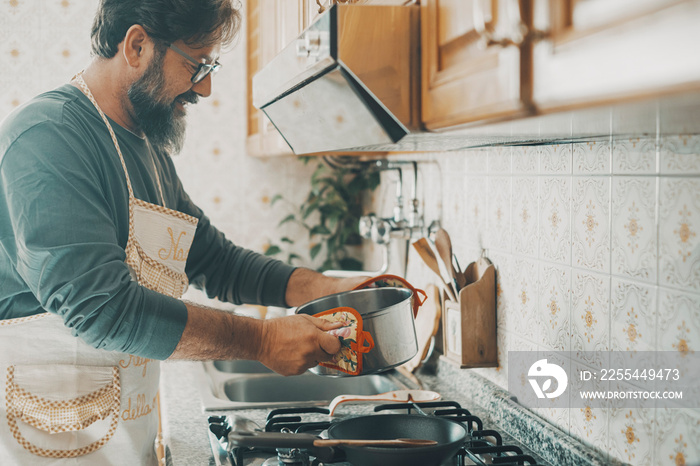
(99, 241)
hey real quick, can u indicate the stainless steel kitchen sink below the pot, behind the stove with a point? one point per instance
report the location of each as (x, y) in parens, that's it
(241, 384)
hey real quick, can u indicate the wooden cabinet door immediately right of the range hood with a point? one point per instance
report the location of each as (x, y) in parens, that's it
(464, 78)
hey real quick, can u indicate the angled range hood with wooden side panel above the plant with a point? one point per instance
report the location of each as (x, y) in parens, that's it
(350, 80)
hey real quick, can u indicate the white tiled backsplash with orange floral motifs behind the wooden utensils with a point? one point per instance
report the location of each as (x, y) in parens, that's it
(597, 247)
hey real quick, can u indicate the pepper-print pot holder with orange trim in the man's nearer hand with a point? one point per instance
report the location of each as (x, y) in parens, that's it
(354, 342)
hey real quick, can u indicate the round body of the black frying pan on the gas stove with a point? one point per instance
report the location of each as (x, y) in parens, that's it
(449, 436)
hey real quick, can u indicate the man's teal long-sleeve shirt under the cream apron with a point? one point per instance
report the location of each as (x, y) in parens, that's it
(64, 224)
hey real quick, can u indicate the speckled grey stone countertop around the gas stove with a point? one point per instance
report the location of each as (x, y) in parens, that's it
(185, 422)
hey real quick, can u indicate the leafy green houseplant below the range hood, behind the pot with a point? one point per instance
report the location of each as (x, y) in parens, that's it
(330, 214)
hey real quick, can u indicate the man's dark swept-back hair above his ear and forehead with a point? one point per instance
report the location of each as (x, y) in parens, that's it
(197, 22)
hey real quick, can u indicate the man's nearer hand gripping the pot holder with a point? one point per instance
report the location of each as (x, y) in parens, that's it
(292, 344)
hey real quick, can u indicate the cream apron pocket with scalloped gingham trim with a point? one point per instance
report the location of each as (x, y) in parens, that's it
(63, 409)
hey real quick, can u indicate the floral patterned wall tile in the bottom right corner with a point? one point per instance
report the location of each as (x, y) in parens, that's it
(677, 437)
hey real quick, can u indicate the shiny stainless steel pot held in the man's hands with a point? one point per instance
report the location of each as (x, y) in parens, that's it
(387, 314)
